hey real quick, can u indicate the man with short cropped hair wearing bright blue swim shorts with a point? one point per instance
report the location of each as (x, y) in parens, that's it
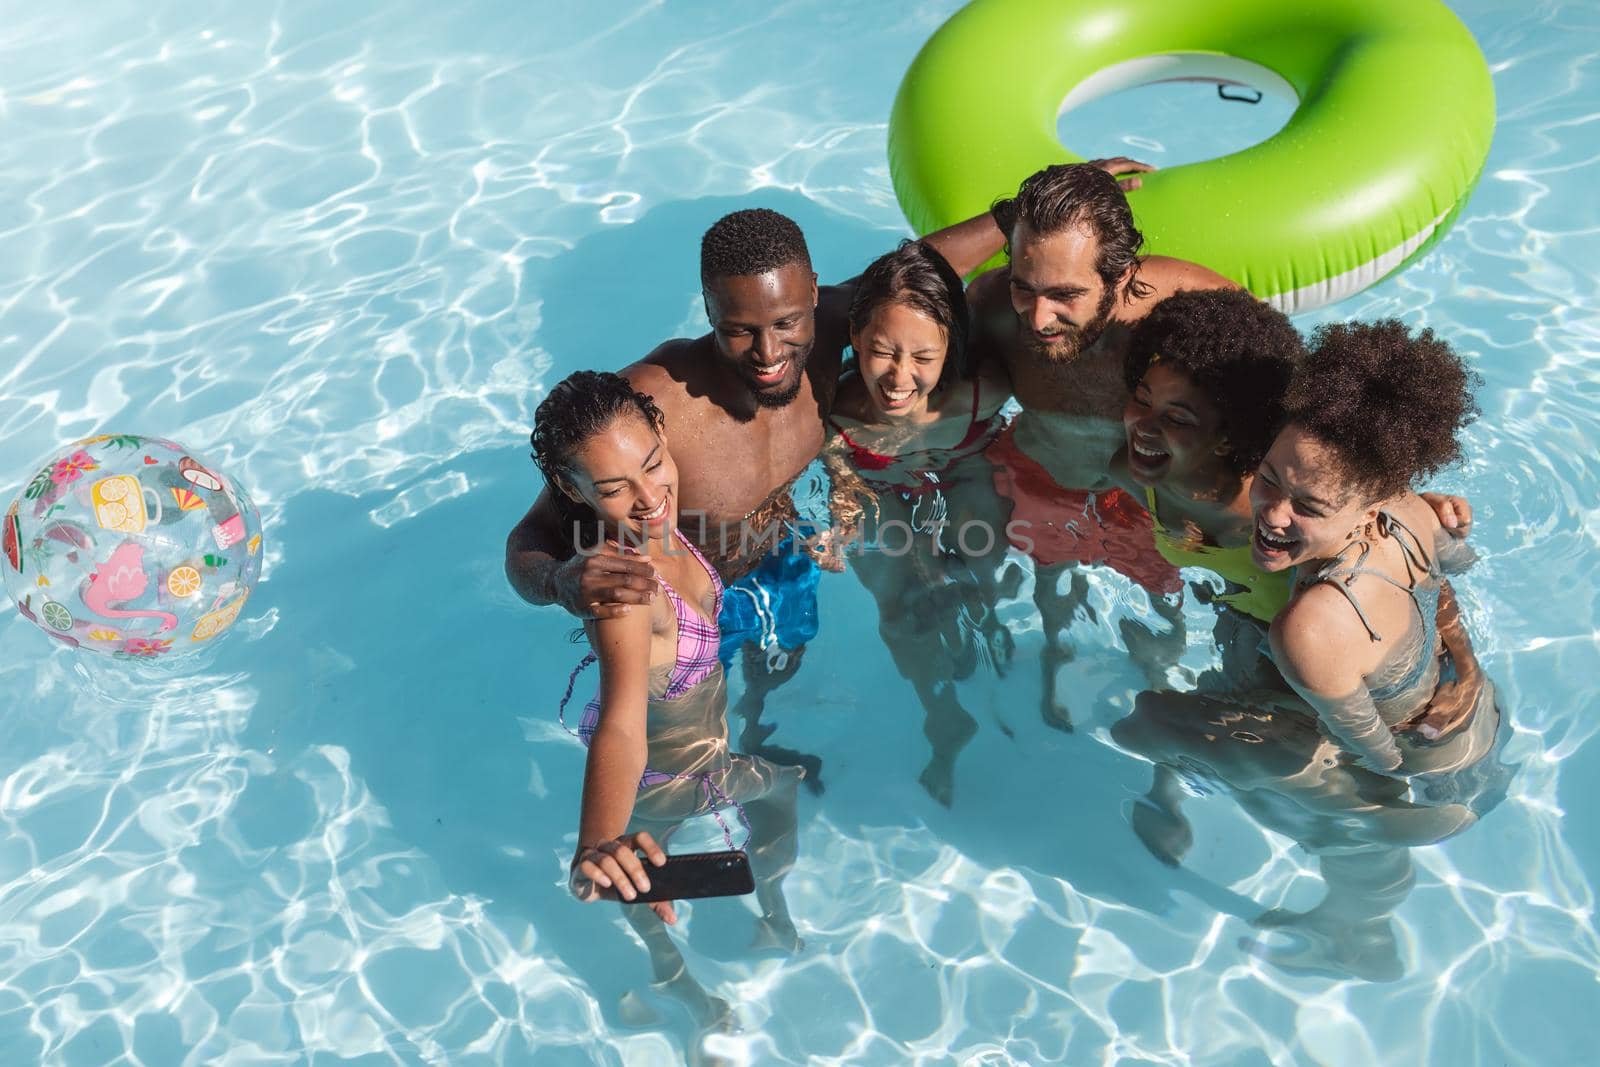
(746, 412)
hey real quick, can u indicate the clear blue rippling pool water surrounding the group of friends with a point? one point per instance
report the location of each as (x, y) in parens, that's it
(340, 250)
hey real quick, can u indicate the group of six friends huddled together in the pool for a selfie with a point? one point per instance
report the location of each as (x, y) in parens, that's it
(1082, 407)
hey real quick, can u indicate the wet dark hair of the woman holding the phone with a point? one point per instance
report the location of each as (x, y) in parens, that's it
(582, 406)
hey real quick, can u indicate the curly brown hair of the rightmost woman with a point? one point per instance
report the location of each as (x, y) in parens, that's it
(1390, 404)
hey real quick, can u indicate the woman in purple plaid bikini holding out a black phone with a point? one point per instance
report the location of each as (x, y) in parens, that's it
(657, 732)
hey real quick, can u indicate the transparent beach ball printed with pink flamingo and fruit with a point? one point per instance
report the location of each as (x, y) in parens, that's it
(132, 546)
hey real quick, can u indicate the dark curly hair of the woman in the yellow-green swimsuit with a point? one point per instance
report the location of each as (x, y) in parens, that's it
(1239, 351)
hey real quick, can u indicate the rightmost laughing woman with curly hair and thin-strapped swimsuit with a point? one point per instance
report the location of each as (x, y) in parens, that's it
(1374, 412)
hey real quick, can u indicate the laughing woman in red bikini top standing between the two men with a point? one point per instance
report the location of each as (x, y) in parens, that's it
(911, 426)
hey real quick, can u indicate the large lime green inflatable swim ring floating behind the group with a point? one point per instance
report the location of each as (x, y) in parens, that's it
(1391, 134)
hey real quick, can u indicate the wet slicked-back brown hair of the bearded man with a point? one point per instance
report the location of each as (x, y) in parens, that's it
(1081, 196)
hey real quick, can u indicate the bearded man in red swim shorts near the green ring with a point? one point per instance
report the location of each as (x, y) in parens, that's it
(1058, 321)
